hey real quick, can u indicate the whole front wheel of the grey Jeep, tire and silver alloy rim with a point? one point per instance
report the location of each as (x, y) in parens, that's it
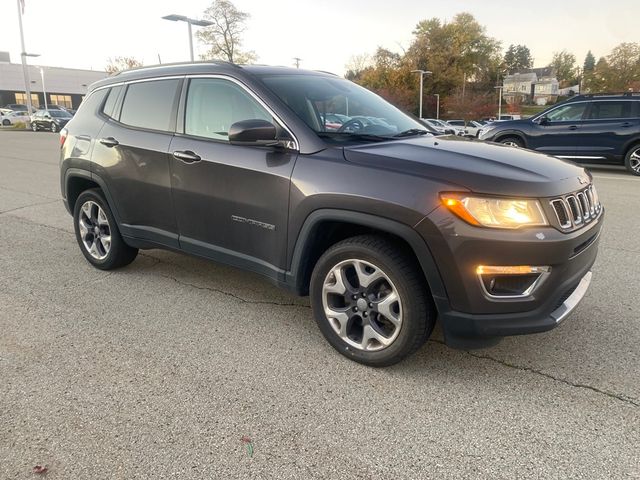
(370, 301)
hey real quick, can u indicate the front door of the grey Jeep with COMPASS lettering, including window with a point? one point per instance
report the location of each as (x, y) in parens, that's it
(231, 201)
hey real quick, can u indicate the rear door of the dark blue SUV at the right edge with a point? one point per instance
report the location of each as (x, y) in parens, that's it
(609, 126)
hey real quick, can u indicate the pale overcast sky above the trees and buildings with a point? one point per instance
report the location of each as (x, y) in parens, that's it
(324, 33)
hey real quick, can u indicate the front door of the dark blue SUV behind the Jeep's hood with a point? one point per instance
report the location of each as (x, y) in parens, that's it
(560, 134)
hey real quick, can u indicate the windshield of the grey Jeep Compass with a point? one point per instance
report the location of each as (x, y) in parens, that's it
(339, 109)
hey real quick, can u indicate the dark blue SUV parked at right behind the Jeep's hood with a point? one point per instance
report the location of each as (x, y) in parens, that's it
(595, 128)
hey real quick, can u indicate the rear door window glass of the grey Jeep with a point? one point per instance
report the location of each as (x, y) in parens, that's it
(149, 104)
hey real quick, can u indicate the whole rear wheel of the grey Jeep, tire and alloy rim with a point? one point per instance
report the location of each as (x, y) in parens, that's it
(97, 233)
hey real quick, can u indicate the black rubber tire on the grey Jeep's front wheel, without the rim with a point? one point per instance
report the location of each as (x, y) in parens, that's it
(417, 310)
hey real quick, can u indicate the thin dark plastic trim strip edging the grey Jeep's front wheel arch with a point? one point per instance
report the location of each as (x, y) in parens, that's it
(295, 276)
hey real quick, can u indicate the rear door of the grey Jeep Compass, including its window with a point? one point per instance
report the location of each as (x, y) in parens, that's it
(131, 156)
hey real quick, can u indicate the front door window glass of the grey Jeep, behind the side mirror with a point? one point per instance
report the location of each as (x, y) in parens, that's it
(214, 104)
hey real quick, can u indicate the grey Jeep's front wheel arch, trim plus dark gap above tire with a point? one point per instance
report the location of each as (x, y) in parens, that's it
(324, 228)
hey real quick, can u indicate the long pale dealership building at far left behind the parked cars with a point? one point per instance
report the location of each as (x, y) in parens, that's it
(63, 86)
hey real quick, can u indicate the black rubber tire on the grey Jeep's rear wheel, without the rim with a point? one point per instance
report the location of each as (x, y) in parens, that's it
(119, 253)
